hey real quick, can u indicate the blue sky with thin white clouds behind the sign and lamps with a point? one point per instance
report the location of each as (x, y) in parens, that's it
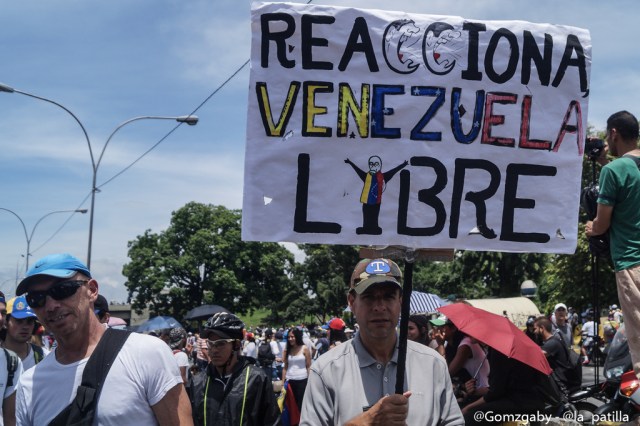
(108, 62)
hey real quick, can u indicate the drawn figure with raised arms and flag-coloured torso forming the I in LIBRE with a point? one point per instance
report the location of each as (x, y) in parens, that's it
(371, 197)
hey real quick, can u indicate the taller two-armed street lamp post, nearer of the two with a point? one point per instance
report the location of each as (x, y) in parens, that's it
(191, 120)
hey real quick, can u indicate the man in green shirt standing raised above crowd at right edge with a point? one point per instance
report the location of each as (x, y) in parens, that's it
(619, 212)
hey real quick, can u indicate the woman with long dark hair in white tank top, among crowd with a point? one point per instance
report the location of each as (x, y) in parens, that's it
(297, 361)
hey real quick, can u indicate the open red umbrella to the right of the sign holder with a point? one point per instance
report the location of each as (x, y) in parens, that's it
(497, 332)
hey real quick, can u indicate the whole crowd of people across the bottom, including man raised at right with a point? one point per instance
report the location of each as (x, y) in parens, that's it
(223, 375)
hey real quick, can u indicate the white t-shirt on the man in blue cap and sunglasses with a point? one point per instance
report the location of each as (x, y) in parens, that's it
(143, 372)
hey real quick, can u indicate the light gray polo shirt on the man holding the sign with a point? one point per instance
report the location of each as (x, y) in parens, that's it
(347, 380)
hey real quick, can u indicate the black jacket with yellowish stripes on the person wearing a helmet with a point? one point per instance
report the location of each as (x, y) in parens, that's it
(224, 403)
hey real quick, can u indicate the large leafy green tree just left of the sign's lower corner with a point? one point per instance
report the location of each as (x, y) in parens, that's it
(201, 259)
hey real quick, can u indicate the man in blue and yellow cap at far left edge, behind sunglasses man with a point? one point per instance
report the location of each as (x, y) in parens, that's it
(21, 324)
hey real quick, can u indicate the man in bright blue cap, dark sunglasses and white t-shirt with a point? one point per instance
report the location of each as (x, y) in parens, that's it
(143, 386)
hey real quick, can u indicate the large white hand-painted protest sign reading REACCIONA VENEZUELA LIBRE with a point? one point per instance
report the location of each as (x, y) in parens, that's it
(377, 128)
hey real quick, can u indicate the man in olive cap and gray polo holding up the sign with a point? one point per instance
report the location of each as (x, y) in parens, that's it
(354, 383)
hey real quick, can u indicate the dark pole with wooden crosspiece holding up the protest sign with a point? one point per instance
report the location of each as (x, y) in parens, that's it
(409, 256)
